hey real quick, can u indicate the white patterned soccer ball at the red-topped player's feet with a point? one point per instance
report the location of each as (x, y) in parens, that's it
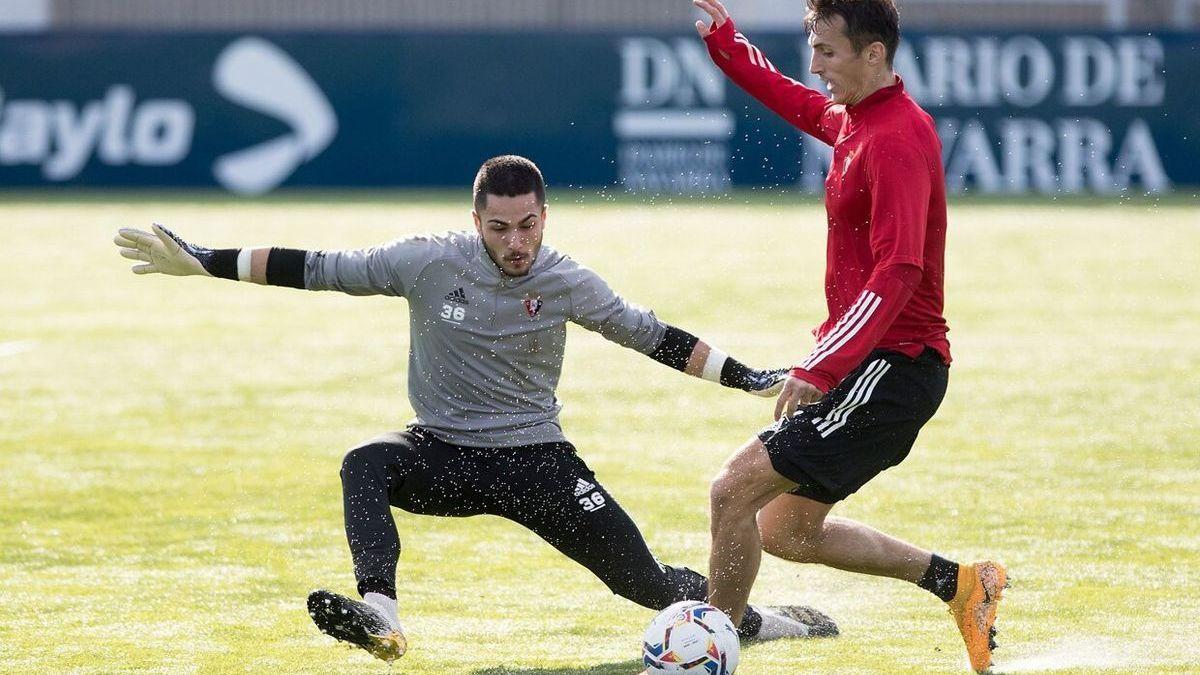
(692, 637)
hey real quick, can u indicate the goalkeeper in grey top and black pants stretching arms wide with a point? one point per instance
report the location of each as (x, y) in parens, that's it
(488, 314)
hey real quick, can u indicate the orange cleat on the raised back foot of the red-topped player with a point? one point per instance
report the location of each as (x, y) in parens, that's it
(981, 587)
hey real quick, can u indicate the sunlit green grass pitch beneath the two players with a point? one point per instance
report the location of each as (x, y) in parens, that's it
(170, 447)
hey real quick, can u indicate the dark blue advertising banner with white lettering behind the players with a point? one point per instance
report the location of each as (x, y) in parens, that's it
(1018, 114)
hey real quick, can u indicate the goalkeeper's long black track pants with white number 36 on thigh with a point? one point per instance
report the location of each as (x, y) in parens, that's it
(547, 488)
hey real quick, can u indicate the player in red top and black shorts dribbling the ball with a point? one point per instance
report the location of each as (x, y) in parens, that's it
(879, 371)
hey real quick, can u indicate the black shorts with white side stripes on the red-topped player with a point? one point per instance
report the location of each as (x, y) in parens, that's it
(861, 428)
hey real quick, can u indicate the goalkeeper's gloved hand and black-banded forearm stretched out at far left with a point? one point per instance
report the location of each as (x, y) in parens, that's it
(163, 252)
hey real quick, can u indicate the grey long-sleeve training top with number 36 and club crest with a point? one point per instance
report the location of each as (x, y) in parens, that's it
(487, 349)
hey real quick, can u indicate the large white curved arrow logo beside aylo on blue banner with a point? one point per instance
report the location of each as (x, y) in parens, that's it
(255, 74)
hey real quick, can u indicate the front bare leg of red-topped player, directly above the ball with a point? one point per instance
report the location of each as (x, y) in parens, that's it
(746, 485)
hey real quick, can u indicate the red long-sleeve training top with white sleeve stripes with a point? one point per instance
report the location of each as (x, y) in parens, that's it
(886, 212)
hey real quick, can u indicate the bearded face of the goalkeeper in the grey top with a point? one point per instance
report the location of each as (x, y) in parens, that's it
(512, 231)
